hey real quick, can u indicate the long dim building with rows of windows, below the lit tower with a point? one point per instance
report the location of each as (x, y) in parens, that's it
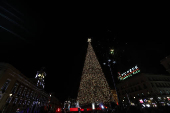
(19, 93)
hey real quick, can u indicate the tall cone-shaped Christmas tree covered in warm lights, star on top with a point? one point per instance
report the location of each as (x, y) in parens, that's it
(93, 85)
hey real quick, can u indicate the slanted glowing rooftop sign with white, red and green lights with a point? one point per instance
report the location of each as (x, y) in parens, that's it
(128, 73)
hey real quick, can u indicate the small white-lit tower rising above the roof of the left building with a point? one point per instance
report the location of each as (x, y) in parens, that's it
(40, 78)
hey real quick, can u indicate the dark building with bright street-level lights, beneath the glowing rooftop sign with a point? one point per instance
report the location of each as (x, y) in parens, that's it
(148, 89)
